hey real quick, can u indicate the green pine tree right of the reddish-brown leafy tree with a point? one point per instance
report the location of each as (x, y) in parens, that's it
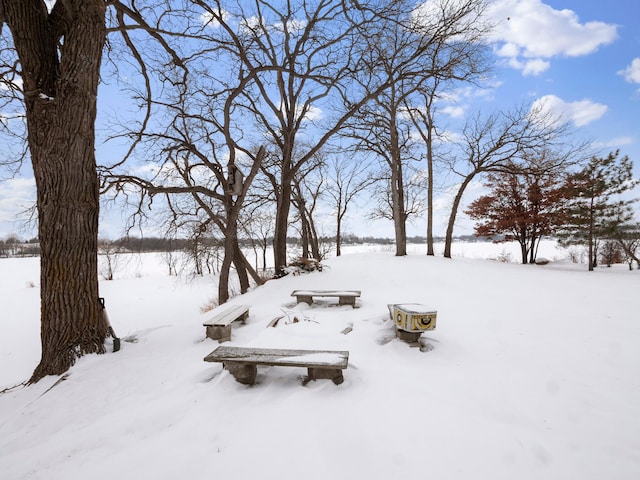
(597, 206)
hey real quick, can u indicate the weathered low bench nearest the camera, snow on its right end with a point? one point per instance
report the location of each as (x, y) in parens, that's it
(242, 362)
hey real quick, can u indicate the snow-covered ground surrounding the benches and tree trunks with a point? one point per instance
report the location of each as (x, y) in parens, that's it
(533, 372)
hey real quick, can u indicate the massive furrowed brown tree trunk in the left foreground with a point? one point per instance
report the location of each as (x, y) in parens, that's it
(60, 101)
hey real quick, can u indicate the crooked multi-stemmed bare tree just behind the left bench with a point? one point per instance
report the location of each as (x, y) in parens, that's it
(202, 165)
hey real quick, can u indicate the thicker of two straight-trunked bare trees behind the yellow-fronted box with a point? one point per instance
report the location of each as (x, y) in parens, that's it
(421, 43)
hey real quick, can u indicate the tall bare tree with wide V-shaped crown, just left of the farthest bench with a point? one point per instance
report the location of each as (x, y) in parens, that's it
(300, 60)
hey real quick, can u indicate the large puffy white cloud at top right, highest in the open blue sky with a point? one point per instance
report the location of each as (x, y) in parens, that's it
(530, 32)
